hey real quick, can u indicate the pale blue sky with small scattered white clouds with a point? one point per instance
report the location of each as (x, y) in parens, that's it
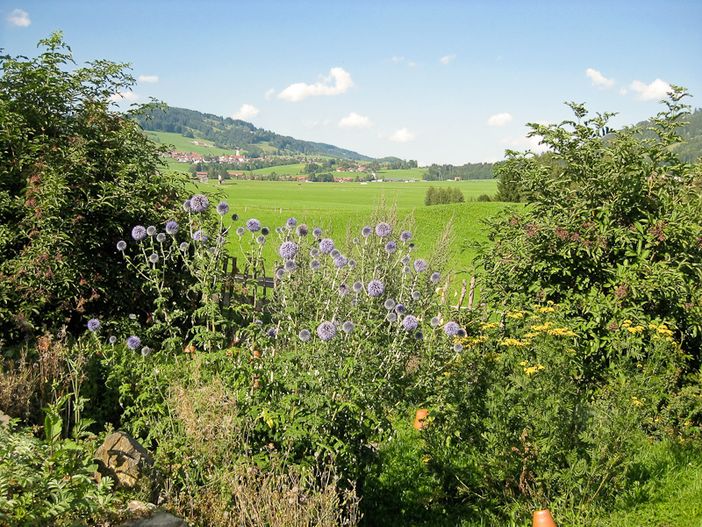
(440, 81)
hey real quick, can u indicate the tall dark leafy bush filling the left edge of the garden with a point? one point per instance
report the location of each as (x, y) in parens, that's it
(74, 172)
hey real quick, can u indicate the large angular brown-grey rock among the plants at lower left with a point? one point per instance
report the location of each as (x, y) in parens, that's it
(122, 458)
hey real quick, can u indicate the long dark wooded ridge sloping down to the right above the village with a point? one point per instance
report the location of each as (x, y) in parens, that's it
(226, 132)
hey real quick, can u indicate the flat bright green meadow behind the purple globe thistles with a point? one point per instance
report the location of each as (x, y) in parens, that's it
(341, 208)
